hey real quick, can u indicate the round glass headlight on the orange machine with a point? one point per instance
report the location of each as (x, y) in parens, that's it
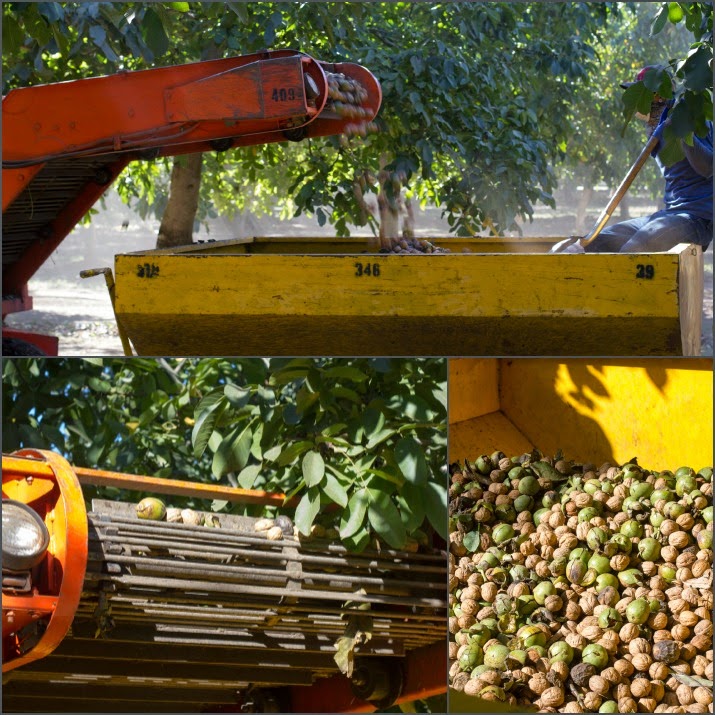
(24, 536)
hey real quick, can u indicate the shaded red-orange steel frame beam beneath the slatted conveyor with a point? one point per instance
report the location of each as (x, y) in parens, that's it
(425, 675)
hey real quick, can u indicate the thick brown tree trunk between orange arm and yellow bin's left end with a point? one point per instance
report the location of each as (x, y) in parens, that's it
(177, 223)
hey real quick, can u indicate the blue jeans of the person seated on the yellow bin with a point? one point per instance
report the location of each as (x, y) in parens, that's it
(660, 231)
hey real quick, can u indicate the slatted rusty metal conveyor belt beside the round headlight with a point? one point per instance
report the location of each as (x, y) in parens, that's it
(193, 618)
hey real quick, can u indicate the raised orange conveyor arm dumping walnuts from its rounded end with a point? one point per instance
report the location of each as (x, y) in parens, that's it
(63, 144)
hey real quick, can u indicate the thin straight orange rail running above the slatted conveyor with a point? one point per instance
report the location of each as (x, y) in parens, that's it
(12, 464)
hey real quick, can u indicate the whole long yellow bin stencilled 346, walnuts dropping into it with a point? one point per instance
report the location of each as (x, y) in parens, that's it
(341, 297)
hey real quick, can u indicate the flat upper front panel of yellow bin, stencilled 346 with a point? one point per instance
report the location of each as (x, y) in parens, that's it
(470, 285)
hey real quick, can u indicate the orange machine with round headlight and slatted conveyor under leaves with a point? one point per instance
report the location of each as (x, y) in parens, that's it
(106, 611)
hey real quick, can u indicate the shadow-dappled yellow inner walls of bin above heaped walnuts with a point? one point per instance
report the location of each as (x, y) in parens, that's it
(658, 410)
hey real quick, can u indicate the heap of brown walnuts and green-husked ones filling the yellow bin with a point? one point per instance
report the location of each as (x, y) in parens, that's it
(579, 588)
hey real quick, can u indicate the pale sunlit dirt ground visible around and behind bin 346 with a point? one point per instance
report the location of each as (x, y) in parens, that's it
(79, 311)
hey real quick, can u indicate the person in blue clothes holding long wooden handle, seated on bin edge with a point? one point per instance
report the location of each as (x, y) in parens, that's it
(688, 213)
